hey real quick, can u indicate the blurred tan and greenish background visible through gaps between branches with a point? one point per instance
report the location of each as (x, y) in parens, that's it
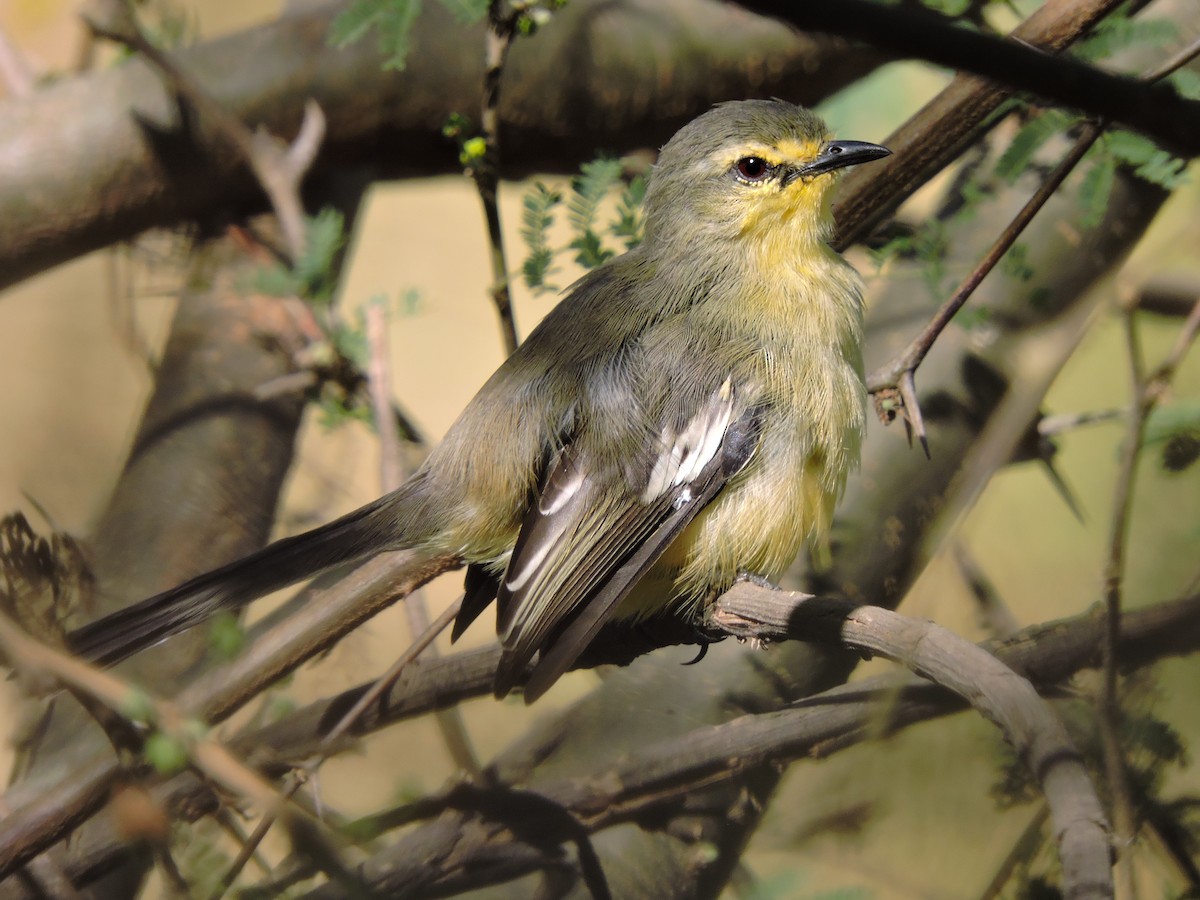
(913, 819)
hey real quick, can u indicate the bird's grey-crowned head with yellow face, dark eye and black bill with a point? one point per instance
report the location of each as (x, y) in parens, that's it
(757, 170)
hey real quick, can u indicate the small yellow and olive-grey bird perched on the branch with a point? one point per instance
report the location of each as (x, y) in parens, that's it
(686, 417)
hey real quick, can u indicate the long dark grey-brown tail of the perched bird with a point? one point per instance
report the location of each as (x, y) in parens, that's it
(358, 535)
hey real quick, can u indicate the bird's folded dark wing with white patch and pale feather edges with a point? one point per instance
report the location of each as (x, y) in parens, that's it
(589, 541)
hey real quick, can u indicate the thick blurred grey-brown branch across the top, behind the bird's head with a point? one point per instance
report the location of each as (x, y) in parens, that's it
(136, 159)
